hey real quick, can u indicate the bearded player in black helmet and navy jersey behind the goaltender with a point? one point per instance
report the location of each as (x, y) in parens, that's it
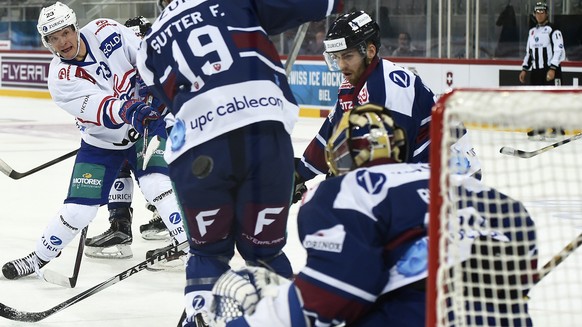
(352, 46)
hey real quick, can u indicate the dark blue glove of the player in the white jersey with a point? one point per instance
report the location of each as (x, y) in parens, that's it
(140, 115)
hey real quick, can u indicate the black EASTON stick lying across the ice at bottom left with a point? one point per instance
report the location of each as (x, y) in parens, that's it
(13, 314)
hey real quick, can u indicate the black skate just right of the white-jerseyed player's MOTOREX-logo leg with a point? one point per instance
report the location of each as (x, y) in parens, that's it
(114, 243)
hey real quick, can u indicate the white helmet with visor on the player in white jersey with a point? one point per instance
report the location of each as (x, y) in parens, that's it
(53, 19)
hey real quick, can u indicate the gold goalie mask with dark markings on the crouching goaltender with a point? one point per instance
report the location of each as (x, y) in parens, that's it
(365, 136)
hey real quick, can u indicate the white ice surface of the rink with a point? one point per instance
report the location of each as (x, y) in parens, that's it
(34, 131)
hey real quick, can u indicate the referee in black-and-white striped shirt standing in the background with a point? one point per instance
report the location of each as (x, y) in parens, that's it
(544, 55)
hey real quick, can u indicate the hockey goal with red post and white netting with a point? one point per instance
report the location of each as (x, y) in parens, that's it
(496, 288)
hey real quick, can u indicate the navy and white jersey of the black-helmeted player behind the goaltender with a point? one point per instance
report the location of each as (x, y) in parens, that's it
(388, 85)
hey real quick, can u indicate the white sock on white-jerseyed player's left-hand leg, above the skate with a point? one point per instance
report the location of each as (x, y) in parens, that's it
(63, 228)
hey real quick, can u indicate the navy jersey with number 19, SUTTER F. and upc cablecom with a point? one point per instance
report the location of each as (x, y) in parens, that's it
(214, 66)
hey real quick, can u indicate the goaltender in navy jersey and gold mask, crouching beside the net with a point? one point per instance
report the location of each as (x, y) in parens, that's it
(366, 241)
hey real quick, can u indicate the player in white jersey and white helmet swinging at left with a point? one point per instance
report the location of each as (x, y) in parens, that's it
(93, 77)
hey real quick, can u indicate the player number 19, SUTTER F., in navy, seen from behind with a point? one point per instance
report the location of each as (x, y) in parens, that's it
(229, 151)
